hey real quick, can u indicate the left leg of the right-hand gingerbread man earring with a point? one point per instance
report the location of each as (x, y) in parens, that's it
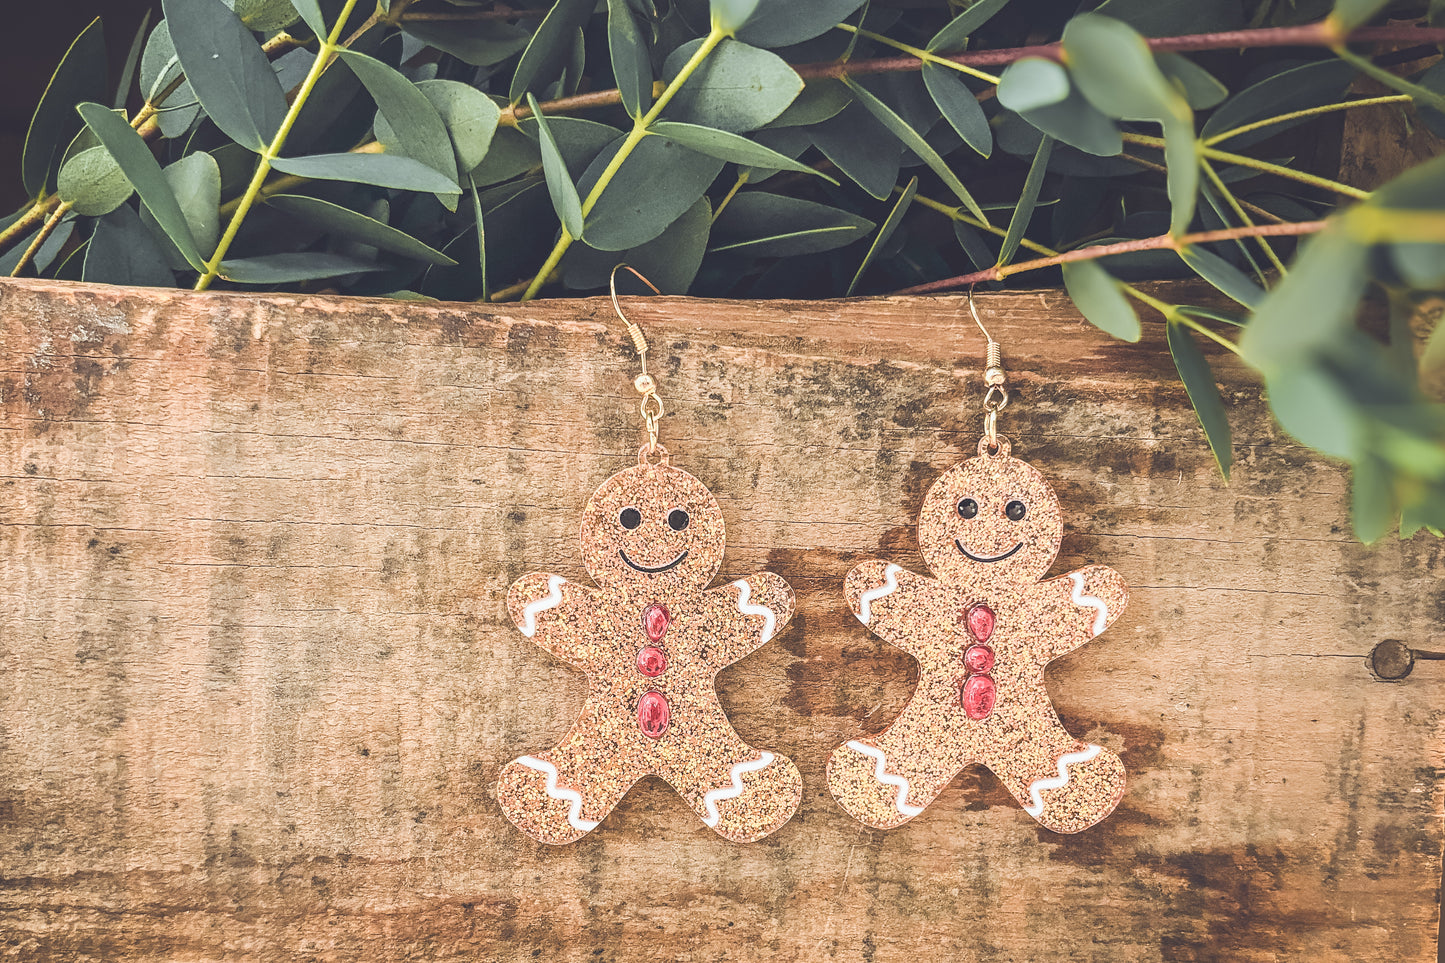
(888, 780)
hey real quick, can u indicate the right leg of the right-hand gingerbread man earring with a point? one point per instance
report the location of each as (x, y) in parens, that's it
(1066, 784)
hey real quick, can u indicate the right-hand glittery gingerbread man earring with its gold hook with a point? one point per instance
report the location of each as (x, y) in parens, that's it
(983, 633)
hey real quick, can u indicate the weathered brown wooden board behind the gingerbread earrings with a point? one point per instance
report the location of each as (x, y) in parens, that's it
(258, 679)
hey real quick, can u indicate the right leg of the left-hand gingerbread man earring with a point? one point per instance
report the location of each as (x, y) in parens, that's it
(739, 792)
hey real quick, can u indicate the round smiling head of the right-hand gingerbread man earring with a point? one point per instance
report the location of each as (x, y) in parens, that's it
(991, 520)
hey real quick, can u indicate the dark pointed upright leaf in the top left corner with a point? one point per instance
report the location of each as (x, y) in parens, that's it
(80, 77)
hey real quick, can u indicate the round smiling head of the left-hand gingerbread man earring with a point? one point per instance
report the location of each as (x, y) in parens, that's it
(654, 530)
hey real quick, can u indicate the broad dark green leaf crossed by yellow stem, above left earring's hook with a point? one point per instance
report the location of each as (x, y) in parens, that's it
(652, 189)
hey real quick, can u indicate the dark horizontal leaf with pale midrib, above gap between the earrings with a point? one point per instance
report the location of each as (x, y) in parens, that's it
(775, 226)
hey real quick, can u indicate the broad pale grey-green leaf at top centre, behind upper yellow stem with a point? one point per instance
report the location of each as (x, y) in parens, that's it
(736, 89)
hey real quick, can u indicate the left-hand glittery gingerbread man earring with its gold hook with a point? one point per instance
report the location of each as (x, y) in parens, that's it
(652, 638)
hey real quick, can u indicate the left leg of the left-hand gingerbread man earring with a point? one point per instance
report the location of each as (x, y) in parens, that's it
(560, 796)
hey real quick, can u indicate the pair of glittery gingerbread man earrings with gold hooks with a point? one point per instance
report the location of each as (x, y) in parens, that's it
(652, 638)
